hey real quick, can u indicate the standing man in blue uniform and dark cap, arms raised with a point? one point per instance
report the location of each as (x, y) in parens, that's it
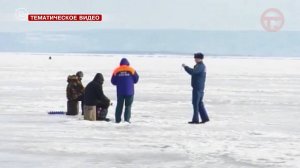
(198, 74)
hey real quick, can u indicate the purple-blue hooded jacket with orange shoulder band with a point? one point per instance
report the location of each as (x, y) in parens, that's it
(124, 77)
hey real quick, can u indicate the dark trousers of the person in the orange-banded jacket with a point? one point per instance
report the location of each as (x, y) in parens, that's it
(119, 109)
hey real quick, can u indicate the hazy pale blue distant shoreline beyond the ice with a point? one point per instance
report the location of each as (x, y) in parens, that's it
(155, 42)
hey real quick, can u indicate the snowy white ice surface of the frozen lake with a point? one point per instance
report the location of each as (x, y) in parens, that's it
(253, 104)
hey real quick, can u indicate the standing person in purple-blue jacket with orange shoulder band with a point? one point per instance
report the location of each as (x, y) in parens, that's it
(124, 77)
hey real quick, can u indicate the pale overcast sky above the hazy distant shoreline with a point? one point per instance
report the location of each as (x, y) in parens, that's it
(204, 15)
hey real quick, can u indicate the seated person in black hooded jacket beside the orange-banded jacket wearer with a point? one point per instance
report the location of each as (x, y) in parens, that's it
(95, 102)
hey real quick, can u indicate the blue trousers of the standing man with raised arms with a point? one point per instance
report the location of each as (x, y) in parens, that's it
(198, 106)
